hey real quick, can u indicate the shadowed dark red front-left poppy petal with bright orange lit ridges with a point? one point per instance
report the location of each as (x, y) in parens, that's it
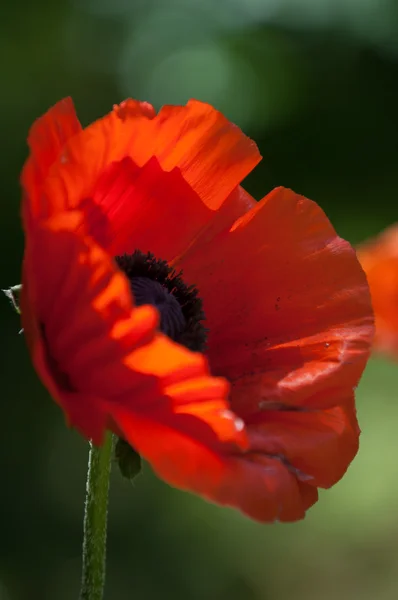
(107, 354)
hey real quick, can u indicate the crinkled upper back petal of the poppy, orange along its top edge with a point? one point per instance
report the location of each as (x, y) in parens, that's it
(147, 181)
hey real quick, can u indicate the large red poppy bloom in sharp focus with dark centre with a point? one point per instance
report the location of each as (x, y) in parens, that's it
(286, 304)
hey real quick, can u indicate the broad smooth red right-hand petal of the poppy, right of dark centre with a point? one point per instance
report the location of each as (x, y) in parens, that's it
(287, 306)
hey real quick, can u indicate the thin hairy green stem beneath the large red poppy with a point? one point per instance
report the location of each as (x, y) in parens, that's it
(95, 520)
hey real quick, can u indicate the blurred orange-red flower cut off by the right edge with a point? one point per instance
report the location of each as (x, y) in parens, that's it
(379, 259)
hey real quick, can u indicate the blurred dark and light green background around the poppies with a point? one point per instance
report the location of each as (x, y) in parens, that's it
(315, 83)
